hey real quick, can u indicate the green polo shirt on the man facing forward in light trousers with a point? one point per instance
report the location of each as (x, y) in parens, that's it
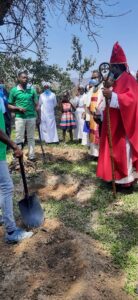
(25, 99)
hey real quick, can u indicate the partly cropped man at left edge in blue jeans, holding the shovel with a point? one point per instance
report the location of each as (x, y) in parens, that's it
(13, 233)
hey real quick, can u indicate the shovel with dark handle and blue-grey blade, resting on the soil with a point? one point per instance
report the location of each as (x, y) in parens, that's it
(30, 208)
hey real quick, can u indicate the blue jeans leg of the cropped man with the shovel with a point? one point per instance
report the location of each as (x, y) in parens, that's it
(6, 195)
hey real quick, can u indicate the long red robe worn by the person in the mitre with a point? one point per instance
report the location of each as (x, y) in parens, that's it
(124, 124)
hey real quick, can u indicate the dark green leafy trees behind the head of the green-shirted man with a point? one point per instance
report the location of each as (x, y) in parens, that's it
(37, 71)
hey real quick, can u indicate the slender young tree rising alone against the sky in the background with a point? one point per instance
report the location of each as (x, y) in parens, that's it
(78, 63)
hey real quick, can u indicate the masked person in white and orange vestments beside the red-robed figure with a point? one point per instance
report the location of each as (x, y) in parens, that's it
(95, 103)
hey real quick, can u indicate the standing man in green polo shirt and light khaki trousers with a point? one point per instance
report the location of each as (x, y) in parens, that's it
(24, 102)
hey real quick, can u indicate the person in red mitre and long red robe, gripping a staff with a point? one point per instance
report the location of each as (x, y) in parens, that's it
(123, 101)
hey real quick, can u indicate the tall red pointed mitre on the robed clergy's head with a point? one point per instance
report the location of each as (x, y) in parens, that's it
(118, 55)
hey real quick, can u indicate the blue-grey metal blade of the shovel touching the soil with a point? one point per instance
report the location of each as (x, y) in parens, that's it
(31, 211)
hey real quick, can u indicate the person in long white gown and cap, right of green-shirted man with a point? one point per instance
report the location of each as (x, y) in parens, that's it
(47, 104)
